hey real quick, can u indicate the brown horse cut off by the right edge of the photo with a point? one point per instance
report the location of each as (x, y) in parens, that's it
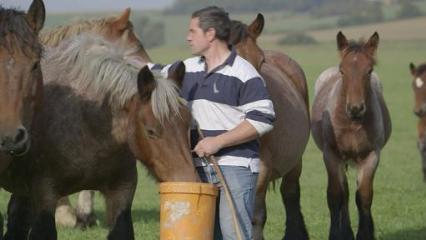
(419, 88)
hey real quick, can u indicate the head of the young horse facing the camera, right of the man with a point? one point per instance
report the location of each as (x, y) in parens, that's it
(356, 68)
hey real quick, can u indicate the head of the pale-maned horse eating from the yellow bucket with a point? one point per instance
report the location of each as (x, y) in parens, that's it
(159, 123)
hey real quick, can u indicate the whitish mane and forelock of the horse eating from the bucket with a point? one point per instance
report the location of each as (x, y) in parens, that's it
(92, 64)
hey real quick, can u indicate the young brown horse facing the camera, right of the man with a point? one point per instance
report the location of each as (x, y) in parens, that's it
(350, 124)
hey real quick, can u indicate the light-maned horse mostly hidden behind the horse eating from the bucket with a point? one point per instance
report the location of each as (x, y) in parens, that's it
(116, 29)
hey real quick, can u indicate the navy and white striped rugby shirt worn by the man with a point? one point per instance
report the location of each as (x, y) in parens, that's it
(222, 99)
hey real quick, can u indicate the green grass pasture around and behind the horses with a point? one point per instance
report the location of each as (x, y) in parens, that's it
(399, 193)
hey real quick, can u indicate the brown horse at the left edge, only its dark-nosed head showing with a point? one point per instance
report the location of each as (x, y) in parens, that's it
(21, 80)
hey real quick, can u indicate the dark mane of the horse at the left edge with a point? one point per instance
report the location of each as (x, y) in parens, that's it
(13, 22)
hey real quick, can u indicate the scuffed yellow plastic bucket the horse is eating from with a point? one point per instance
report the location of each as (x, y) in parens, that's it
(187, 210)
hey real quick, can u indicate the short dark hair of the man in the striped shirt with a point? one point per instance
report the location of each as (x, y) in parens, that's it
(216, 18)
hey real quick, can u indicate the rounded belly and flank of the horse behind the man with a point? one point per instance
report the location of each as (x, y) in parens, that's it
(285, 144)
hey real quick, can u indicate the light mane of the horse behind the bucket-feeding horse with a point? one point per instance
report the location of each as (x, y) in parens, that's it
(53, 37)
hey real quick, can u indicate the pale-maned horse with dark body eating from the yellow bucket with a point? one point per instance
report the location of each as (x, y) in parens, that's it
(100, 114)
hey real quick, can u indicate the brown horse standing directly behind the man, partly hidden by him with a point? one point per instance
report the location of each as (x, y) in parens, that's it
(281, 149)
